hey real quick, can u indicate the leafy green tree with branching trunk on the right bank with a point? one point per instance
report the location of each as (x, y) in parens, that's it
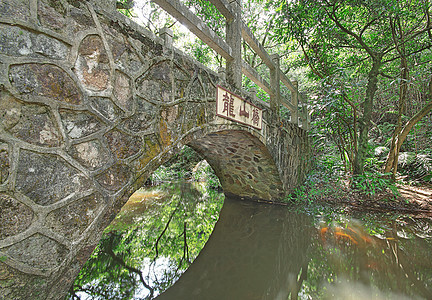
(356, 37)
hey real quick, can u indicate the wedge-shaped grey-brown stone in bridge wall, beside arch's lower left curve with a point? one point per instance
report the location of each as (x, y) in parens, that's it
(73, 219)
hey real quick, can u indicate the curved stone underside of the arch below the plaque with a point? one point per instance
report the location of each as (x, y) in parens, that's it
(242, 163)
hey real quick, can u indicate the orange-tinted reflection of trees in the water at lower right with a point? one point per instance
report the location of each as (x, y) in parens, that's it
(394, 260)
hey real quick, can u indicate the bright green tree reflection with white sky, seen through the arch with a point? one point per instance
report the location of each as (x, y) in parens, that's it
(149, 245)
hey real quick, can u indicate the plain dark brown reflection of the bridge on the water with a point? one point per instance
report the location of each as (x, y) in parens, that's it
(255, 252)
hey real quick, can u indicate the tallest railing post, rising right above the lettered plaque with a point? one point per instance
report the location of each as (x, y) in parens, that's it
(234, 40)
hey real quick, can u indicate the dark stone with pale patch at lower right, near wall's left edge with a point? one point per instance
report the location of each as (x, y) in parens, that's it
(35, 126)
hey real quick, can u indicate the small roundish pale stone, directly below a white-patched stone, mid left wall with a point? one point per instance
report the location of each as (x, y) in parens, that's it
(91, 155)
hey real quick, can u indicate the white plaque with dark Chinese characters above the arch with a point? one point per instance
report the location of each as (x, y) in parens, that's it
(235, 108)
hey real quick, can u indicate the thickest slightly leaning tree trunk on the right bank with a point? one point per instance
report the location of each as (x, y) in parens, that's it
(365, 121)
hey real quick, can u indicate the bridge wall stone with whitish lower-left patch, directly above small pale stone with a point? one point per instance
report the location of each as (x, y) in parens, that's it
(79, 124)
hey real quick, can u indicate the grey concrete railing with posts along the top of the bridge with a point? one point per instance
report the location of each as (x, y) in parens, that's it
(230, 50)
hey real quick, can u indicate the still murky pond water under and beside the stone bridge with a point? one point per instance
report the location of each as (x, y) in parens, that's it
(185, 241)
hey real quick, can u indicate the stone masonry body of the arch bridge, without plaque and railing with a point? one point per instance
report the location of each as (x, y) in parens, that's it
(90, 105)
